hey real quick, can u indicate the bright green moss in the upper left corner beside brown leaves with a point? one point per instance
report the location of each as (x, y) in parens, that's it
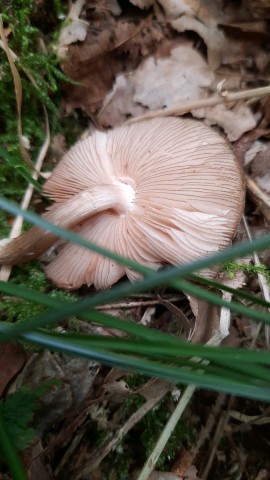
(27, 42)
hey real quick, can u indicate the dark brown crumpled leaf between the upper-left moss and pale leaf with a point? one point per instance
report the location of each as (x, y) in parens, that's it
(113, 44)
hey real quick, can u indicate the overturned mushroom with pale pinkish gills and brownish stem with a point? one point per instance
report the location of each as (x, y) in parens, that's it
(160, 191)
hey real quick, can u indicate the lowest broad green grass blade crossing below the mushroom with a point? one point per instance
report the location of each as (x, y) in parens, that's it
(212, 379)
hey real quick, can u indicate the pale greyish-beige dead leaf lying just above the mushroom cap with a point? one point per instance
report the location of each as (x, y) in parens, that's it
(184, 70)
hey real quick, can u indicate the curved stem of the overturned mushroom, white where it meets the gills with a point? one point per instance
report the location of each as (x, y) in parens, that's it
(67, 214)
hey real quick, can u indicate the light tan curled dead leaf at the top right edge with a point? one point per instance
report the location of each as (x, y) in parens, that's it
(206, 18)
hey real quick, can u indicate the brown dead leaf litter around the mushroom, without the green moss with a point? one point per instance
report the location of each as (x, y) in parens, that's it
(125, 60)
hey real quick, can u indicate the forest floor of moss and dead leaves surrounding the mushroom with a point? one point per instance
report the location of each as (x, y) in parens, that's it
(113, 61)
